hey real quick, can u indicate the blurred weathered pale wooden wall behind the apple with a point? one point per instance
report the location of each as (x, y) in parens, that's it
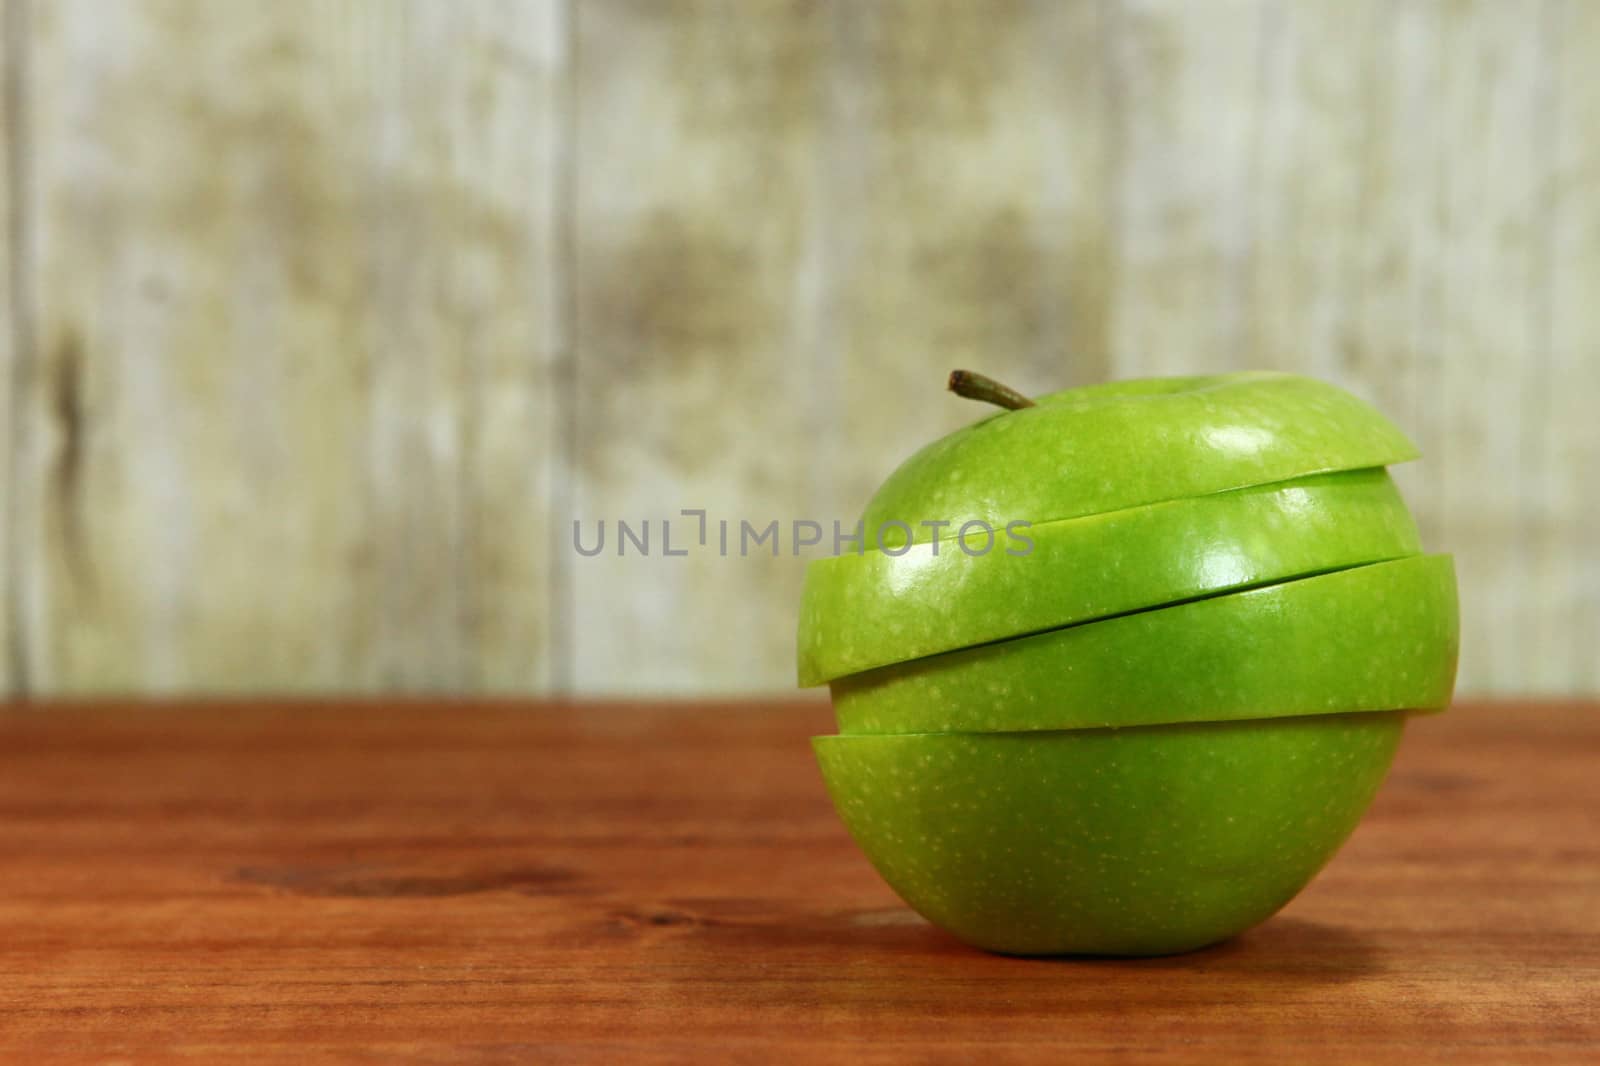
(326, 319)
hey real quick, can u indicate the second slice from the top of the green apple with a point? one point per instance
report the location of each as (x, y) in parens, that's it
(863, 612)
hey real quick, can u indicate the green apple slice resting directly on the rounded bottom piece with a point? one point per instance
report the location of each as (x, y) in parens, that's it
(1375, 638)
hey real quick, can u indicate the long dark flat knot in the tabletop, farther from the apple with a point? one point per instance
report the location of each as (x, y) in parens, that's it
(366, 881)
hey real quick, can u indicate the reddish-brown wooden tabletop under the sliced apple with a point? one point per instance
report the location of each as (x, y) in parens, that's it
(666, 883)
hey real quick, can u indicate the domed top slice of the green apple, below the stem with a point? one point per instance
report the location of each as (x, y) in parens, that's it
(1132, 444)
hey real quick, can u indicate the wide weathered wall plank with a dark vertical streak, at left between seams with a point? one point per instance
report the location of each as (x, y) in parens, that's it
(290, 295)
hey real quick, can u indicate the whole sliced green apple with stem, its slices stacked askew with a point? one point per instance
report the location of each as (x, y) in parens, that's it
(1151, 732)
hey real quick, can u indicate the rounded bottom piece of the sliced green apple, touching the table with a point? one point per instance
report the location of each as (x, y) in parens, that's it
(1119, 843)
